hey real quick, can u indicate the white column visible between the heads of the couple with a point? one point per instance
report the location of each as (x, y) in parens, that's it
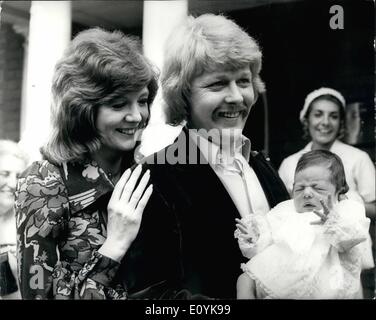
(160, 18)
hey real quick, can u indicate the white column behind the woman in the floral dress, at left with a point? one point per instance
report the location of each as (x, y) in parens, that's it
(49, 35)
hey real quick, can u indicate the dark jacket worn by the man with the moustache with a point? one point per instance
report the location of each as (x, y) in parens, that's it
(186, 240)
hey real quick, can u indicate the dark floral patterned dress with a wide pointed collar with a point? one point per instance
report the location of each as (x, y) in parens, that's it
(61, 216)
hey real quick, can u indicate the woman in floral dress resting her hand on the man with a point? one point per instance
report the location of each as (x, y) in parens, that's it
(78, 211)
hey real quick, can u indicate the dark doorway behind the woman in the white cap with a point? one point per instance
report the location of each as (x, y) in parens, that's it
(302, 53)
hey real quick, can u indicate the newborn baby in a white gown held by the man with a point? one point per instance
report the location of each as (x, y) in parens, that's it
(310, 247)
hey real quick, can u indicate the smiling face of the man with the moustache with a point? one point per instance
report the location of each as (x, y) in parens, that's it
(221, 99)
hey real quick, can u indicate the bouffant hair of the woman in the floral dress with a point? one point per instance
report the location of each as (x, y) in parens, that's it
(97, 69)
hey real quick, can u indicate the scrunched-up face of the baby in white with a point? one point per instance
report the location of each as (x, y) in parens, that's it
(311, 185)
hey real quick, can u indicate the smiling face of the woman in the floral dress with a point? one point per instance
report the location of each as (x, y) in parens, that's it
(120, 124)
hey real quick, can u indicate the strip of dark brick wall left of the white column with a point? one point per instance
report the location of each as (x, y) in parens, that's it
(11, 65)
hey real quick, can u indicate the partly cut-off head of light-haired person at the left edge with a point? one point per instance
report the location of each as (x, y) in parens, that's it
(10, 168)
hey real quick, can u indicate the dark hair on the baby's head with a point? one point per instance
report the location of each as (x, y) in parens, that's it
(329, 160)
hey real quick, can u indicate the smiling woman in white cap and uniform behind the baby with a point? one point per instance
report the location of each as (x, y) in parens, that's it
(323, 119)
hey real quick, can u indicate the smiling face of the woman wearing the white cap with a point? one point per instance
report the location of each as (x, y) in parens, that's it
(324, 122)
